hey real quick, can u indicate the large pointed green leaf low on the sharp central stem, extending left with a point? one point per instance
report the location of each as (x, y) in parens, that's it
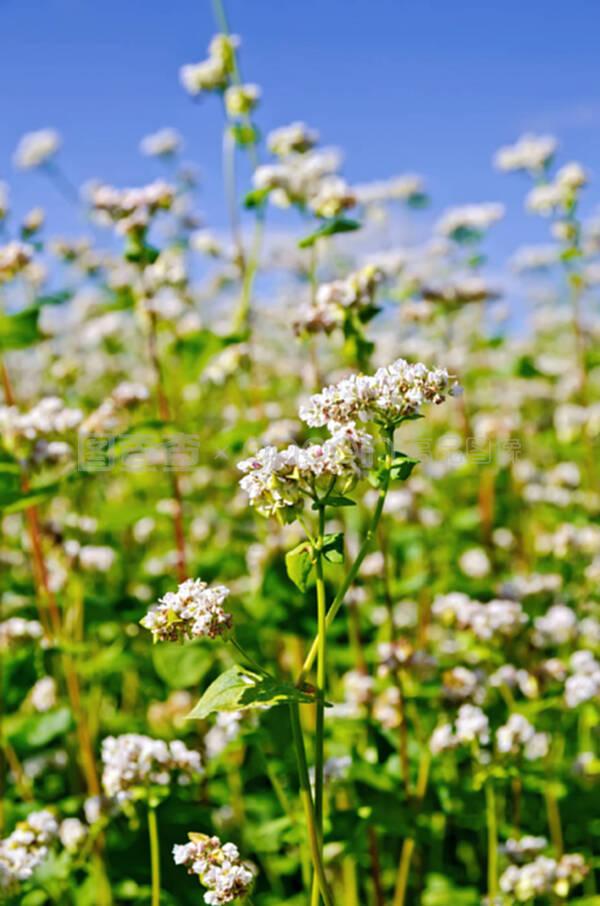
(239, 688)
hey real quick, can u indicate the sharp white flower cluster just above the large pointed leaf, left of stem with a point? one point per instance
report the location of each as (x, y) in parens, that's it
(194, 611)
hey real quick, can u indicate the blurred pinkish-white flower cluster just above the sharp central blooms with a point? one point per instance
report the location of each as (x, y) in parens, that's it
(334, 300)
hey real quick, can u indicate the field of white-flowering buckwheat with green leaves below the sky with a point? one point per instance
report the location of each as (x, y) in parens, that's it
(300, 533)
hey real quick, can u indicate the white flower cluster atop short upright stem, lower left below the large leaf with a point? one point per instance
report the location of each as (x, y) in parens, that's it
(133, 763)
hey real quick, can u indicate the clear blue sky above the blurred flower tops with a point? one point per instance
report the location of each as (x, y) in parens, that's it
(432, 86)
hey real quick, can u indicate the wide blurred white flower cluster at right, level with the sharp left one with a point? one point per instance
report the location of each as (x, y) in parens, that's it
(497, 618)
